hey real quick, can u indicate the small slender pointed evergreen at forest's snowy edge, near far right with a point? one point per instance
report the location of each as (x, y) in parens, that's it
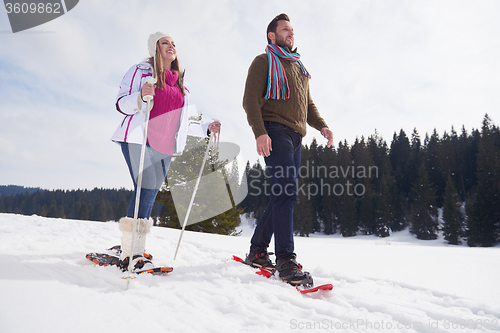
(452, 218)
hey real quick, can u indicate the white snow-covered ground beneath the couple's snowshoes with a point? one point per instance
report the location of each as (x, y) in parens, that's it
(395, 284)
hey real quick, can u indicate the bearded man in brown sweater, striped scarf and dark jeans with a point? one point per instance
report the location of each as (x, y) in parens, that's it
(278, 106)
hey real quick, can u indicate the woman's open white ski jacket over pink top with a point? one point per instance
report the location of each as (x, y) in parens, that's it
(131, 105)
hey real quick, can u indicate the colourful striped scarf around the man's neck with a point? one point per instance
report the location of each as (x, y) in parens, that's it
(276, 77)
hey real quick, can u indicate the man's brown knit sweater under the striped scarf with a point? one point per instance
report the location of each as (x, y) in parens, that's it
(294, 112)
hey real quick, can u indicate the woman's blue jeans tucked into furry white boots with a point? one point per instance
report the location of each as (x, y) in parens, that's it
(155, 170)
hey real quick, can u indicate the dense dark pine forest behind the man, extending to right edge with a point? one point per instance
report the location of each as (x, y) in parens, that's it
(448, 183)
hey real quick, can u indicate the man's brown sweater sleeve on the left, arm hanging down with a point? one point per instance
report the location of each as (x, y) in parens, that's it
(253, 97)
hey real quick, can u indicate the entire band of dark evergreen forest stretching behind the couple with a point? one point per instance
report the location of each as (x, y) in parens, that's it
(447, 183)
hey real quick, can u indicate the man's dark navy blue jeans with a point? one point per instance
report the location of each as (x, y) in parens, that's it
(282, 164)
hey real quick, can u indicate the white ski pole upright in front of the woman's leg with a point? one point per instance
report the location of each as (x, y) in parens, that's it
(148, 99)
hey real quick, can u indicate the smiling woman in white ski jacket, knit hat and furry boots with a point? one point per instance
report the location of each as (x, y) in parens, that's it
(169, 125)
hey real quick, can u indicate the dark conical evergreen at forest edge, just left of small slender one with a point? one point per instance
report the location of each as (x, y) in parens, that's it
(424, 223)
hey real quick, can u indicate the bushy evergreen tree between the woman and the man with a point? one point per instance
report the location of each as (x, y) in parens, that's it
(212, 195)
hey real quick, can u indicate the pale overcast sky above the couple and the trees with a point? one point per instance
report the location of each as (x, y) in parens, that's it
(376, 65)
